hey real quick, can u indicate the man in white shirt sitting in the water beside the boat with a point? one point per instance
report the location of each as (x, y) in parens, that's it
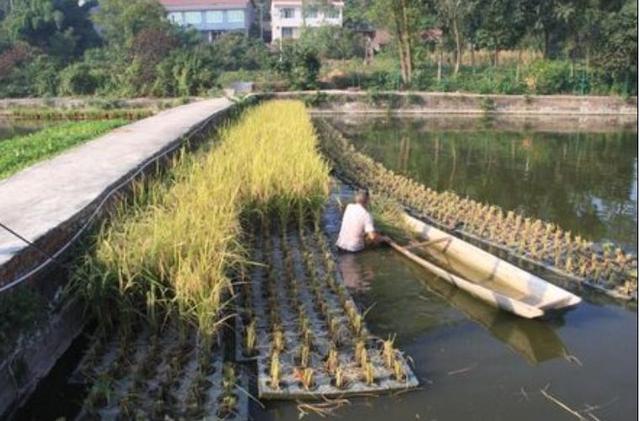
(357, 226)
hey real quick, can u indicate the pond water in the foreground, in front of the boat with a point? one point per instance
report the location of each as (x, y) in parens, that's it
(478, 363)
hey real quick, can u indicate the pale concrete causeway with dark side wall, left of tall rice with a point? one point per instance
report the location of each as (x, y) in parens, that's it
(49, 202)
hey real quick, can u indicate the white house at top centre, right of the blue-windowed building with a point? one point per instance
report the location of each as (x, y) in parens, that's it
(289, 17)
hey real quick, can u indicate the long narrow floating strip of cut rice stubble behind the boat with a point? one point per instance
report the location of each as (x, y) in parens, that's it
(543, 244)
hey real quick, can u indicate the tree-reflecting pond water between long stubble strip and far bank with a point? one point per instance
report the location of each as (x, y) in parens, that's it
(571, 172)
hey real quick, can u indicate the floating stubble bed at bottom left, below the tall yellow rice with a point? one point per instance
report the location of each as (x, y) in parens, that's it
(158, 376)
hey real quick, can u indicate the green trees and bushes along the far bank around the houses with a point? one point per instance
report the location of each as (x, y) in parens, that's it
(49, 47)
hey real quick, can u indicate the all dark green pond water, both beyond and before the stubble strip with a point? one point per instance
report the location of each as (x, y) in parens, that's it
(476, 362)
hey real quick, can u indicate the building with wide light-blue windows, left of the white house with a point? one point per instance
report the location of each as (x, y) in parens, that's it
(211, 17)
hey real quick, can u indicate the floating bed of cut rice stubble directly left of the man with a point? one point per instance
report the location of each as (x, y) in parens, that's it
(300, 323)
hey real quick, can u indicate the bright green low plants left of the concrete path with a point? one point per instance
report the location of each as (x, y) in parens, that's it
(21, 151)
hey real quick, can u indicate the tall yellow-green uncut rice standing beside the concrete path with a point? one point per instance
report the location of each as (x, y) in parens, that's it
(174, 252)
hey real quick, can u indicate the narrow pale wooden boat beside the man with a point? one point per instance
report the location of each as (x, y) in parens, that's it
(484, 275)
